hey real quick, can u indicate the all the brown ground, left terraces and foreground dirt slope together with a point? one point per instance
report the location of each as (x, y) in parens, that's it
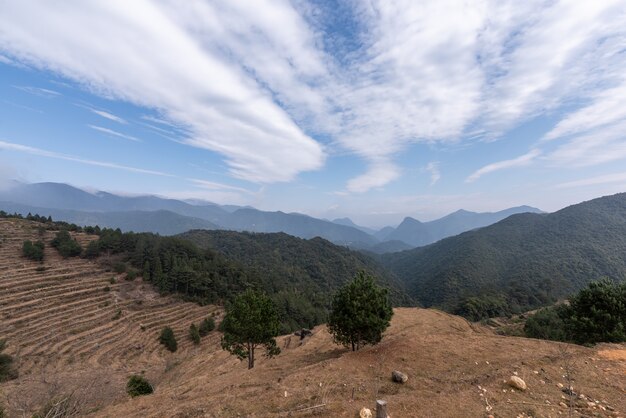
(59, 326)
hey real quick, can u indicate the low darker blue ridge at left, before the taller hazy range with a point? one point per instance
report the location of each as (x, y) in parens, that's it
(160, 221)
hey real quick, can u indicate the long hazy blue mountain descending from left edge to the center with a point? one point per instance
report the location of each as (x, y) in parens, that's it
(57, 199)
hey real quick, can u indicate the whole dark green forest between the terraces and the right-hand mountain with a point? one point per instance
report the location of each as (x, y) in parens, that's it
(299, 275)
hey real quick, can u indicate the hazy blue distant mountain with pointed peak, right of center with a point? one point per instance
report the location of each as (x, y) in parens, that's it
(416, 233)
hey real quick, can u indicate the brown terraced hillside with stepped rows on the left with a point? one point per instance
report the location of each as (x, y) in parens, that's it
(74, 326)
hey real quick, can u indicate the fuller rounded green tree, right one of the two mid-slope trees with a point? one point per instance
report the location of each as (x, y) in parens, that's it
(360, 313)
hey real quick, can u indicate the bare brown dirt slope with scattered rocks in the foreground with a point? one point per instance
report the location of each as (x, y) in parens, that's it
(455, 370)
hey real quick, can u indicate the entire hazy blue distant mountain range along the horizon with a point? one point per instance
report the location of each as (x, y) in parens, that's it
(170, 216)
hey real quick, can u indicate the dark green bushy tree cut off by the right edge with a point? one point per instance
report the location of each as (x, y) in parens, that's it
(599, 313)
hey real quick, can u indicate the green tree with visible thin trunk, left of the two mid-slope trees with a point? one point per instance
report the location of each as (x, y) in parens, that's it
(251, 321)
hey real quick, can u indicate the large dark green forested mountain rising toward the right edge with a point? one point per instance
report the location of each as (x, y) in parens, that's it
(521, 262)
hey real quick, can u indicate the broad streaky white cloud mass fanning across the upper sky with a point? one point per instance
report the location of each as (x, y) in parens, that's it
(248, 79)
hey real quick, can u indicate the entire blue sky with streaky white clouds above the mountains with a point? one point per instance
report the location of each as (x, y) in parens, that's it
(372, 109)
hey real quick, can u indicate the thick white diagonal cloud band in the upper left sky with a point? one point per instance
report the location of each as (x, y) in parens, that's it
(109, 47)
